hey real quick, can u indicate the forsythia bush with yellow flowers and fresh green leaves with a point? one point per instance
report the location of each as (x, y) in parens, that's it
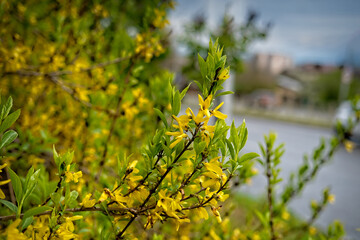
(103, 149)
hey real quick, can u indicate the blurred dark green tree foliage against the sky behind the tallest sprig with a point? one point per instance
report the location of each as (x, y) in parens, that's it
(236, 40)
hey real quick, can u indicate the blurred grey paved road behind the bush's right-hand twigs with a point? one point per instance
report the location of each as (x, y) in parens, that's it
(342, 174)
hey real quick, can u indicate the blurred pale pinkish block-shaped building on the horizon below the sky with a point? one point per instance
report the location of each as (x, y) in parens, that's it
(271, 63)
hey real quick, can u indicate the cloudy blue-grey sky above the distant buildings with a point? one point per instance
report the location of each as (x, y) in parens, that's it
(317, 31)
